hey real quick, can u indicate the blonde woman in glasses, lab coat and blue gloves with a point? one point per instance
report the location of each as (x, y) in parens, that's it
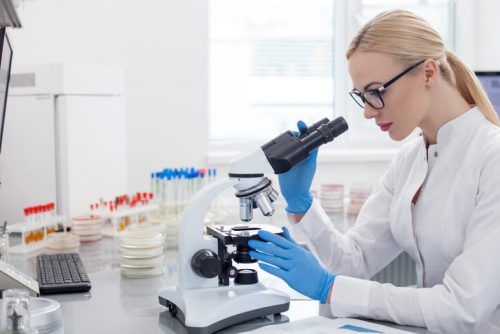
(439, 200)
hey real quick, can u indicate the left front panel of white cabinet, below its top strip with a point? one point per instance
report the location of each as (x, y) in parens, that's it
(28, 155)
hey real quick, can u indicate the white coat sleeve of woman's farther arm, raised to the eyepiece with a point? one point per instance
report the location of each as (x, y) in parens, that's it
(368, 246)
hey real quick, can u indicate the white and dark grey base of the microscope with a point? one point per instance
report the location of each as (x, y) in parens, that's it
(207, 310)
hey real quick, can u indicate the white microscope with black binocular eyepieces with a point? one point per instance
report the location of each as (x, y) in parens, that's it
(211, 292)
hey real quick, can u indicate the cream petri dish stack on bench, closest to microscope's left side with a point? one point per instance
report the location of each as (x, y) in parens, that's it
(141, 253)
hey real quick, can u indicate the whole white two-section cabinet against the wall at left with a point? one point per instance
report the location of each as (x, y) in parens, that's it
(64, 139)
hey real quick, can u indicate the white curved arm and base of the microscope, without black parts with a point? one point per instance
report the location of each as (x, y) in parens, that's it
(200, 303)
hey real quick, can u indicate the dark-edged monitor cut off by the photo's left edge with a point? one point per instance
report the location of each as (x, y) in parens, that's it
(5, 65)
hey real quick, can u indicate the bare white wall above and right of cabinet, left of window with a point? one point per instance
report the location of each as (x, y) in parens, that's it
(161, 44)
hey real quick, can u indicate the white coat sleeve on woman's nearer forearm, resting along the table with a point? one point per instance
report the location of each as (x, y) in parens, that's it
(470, 291)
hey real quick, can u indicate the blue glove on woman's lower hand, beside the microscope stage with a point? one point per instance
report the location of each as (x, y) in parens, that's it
(292, 263)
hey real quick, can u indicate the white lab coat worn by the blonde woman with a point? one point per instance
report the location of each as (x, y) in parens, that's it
(453, 234)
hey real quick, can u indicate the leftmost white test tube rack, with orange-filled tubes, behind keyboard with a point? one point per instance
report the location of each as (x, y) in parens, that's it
(34, 234)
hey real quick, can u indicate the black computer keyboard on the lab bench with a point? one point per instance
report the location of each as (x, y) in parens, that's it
(61, 273)
